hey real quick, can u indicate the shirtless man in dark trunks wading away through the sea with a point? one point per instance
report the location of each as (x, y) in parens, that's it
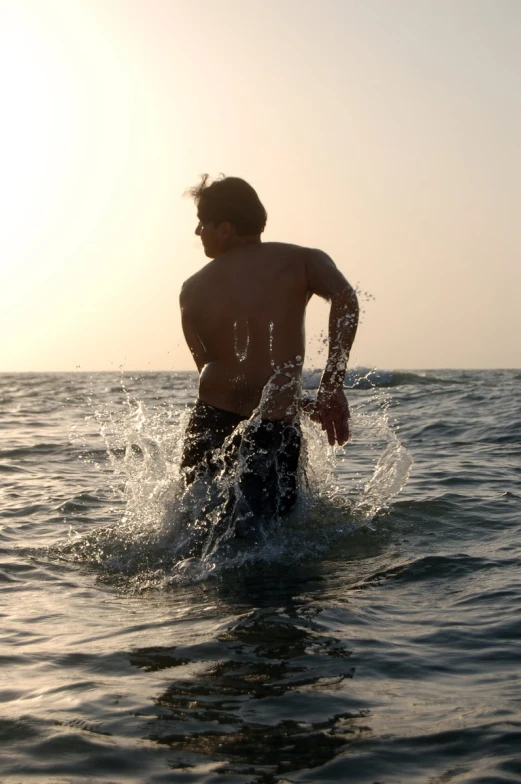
(243, 319)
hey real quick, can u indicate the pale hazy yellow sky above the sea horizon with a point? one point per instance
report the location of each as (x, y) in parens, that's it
(385, 132)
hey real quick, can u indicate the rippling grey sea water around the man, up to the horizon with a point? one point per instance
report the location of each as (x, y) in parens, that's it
(374, 638)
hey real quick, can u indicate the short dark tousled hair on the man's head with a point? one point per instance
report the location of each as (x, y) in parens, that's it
(229, 199)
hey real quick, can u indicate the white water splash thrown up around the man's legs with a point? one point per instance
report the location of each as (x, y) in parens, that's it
(152, 543)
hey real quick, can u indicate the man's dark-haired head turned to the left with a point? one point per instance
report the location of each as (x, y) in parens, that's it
(230, 214)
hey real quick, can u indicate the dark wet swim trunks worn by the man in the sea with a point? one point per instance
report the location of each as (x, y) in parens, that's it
(266, 451)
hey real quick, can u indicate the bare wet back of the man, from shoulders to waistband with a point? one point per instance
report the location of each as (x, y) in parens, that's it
(243, 315)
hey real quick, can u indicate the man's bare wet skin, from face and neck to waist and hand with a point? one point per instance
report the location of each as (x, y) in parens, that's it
(243, 319)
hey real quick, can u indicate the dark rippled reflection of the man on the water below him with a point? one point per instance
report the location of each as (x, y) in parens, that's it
(267, 694)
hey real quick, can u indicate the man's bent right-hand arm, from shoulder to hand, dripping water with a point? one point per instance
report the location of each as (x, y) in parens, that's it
(328, 282)
